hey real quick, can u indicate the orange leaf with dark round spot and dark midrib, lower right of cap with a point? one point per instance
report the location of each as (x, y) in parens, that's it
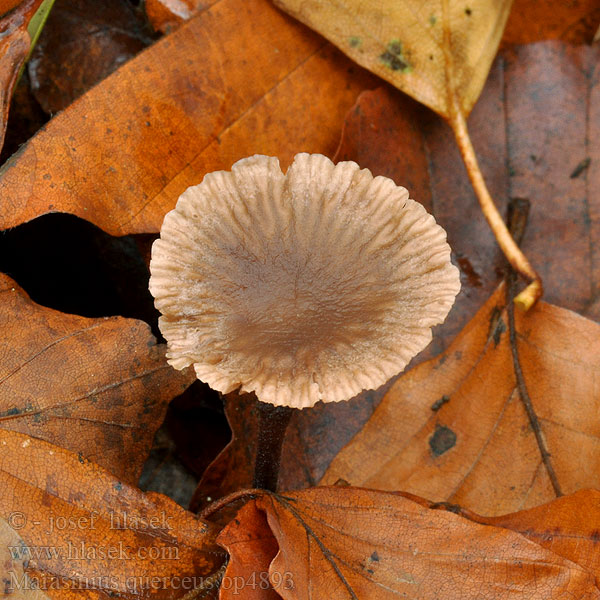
(454, 428)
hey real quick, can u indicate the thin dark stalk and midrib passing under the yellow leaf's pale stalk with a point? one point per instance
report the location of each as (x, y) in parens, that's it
(518, 211)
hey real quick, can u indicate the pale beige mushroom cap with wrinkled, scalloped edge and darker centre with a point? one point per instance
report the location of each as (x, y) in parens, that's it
(302, 287)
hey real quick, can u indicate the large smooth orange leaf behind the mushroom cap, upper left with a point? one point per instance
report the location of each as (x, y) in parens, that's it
(121, 155)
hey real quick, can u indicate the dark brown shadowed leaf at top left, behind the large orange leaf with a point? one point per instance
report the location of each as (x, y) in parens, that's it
(83, 41)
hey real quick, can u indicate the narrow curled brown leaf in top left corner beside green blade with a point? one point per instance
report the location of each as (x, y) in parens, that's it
(15, 43)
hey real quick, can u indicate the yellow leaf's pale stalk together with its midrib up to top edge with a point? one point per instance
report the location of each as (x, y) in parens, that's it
(456, 118)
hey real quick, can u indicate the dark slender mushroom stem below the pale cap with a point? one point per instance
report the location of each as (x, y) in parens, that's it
(272, 424)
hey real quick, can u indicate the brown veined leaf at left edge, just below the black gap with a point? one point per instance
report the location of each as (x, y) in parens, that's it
(99, 387)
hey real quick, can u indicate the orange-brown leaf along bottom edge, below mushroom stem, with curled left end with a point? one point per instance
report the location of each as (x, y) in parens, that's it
(348, 543)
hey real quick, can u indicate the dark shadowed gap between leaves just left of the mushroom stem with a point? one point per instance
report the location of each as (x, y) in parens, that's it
(195, 431)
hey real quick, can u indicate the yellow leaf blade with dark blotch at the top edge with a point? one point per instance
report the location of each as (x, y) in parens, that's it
(406, 44)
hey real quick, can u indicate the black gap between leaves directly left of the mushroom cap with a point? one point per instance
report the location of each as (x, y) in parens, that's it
(68, 264)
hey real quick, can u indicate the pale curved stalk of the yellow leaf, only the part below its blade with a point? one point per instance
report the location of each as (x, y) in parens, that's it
(529, 296)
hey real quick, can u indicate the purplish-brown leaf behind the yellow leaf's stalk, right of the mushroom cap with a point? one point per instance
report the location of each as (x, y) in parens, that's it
(534, 125)
